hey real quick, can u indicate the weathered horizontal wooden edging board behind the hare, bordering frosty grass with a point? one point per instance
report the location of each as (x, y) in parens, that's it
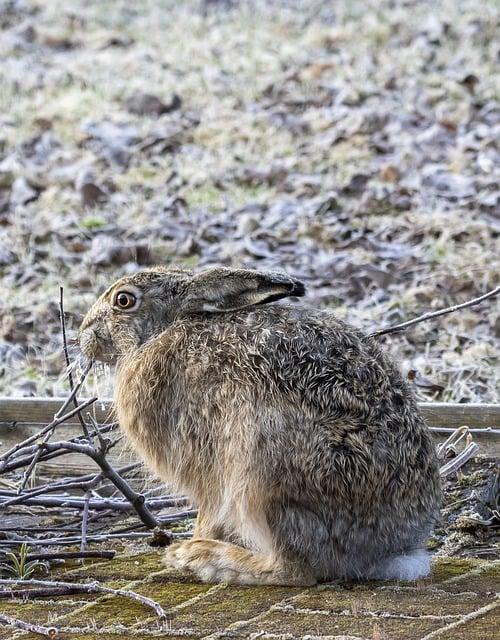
(437, 414)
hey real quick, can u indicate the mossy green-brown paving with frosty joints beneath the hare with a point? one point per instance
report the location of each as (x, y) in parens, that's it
(459, 600)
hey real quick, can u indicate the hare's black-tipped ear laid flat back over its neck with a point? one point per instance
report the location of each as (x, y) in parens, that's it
(223, 289)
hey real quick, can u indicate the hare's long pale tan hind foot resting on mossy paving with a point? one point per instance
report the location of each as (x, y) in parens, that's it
(217, 561)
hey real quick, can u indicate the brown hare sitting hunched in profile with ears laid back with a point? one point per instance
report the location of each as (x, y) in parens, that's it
(294, 434)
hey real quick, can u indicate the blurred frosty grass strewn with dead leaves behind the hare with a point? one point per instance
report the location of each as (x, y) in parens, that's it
(353, 144)
